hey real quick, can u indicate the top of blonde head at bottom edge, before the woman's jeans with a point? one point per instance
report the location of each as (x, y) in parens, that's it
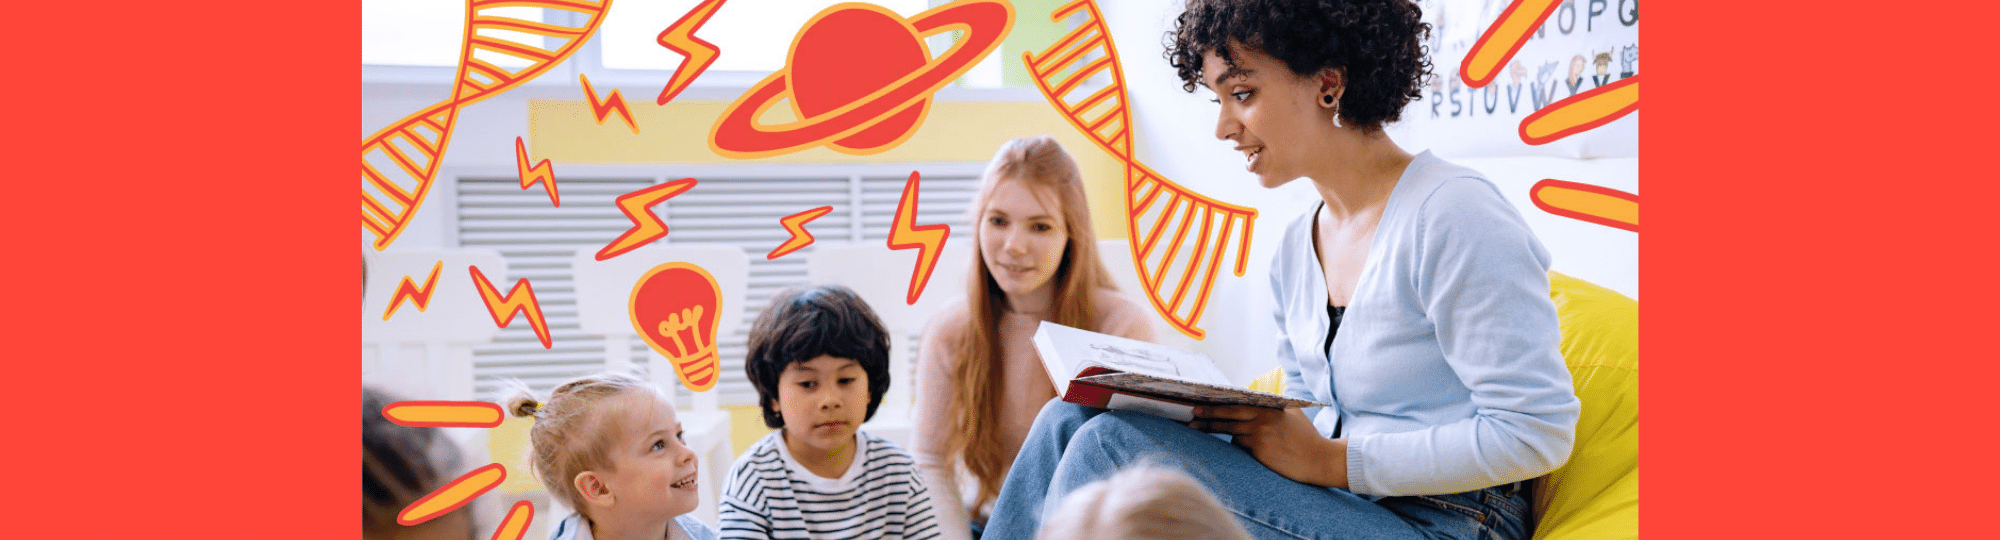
(1143, 503)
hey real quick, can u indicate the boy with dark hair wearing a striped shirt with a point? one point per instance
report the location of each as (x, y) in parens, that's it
(819, 361)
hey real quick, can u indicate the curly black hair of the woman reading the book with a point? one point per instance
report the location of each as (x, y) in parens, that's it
(1381, 45)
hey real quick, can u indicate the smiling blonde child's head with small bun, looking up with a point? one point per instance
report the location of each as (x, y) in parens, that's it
(609, 441)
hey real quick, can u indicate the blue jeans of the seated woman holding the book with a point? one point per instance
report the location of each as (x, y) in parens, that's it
(1075, 445)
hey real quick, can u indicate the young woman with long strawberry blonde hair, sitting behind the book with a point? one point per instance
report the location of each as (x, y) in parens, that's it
(979, 377)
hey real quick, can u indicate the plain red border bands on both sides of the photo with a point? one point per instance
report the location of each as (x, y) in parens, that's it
(1801, 177)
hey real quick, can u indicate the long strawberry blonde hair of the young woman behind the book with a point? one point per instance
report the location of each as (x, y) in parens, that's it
(1043, 165)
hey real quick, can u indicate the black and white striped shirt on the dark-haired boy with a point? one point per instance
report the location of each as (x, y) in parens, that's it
(775, 497)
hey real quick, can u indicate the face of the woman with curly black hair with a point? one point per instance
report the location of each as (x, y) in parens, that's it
(1269, 111)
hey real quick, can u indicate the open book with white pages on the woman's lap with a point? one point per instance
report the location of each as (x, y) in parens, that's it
(1129, 375)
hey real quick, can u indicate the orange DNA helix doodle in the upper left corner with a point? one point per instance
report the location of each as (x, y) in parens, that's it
(401, 161)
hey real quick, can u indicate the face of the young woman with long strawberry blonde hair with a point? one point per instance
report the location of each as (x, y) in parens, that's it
(1023, 237)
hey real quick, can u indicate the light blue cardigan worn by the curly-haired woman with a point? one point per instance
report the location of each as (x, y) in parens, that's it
(1447, 373)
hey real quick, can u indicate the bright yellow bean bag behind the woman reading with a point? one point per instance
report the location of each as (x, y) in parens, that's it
(1597, 493)
